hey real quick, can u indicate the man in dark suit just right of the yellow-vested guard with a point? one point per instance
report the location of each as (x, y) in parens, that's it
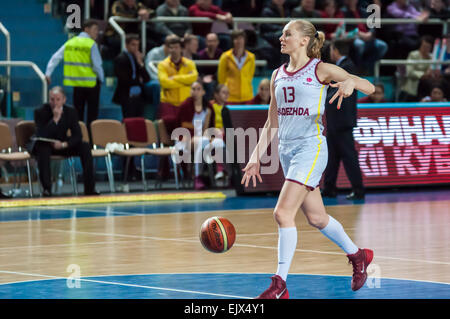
(131, 76)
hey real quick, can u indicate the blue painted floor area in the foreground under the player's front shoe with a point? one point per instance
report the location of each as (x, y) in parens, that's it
(219, 286)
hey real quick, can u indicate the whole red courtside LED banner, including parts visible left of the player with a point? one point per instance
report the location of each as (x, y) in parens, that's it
(399, 144)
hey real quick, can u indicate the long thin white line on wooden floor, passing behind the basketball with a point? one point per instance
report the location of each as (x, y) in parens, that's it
(248, 246)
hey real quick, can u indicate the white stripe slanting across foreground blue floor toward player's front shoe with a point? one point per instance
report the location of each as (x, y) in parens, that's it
(126, 285)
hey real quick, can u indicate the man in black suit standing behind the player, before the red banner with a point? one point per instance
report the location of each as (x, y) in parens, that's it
(340, 124)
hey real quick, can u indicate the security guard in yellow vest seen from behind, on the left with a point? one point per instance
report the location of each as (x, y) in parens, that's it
(82, 70)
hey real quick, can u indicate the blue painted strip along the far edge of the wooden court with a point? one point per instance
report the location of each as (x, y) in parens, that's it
(230, 203)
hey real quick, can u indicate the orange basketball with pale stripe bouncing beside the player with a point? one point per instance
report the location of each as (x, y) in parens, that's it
(217, 234)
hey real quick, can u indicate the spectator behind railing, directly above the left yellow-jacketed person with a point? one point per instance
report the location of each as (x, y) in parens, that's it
(173, 8)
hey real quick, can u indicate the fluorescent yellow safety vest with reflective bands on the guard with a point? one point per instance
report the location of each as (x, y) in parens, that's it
(78, 64)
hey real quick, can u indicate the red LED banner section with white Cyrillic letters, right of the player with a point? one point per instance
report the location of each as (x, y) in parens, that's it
(402, 146)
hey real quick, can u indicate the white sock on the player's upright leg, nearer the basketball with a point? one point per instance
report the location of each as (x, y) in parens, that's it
(287, 242)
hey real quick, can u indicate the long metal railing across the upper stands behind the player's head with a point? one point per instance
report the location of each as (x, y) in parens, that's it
(236, 21)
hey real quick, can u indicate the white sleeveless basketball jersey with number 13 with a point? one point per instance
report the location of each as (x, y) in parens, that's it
(300, 98)
